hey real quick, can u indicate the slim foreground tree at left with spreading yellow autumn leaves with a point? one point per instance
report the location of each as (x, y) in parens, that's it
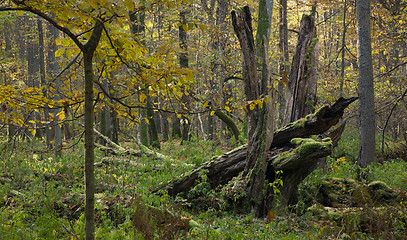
(87, 25)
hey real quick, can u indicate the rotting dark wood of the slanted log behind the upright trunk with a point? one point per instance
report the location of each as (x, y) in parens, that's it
(222, 169)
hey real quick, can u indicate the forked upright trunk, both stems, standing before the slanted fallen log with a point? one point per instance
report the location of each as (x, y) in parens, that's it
(260, 131)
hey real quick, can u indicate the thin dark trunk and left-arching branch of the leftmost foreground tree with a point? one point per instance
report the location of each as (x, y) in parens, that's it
(88, 48)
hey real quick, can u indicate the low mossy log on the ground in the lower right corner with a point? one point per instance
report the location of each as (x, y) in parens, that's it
(373, 207)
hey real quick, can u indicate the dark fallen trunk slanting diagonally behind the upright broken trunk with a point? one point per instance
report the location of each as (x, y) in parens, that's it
(222, 169)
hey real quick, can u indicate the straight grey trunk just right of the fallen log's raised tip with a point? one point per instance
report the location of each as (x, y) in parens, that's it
(366, 90)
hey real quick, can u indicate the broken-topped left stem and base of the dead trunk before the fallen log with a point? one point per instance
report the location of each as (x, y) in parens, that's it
(256, 117)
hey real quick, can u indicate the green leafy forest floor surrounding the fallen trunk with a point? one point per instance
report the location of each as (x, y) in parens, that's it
(41, 197)
